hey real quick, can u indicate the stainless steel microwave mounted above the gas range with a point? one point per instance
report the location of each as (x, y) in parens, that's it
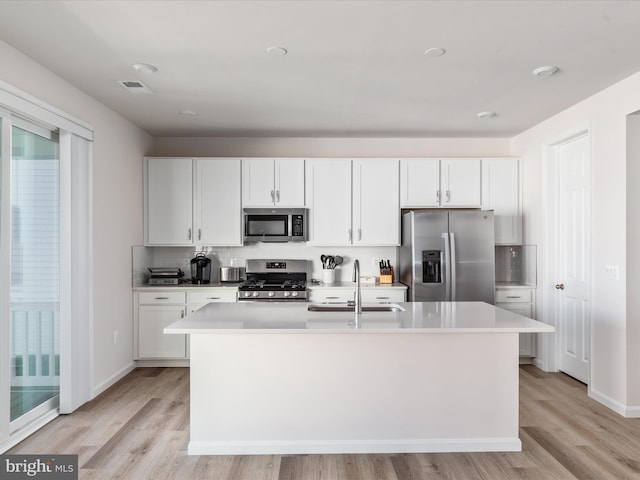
(275, 225)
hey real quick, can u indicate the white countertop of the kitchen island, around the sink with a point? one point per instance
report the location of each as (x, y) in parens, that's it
(414, 317)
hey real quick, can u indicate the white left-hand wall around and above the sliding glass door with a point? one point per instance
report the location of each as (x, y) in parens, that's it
(117, 210)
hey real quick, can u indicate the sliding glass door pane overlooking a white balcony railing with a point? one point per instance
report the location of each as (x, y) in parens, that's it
(35, 272)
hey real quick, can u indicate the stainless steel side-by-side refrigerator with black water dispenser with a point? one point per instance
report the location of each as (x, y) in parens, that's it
(448, 255)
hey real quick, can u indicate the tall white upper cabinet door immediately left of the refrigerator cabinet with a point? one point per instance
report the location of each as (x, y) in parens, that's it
(376, 209)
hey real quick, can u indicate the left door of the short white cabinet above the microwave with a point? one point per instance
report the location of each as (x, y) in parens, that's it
(257, 182)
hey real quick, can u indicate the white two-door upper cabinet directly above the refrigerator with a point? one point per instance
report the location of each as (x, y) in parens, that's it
(446, 183)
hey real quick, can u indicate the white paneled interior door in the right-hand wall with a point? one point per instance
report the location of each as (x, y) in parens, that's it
(572, 247)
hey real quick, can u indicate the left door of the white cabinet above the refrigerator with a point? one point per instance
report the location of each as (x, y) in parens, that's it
(419, 182)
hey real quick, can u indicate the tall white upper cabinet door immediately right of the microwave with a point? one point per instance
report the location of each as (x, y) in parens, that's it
(328, 186)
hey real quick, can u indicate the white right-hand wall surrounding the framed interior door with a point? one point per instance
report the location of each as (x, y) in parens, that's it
(605, 114)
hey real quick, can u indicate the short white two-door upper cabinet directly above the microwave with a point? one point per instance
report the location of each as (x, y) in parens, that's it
(268, 182)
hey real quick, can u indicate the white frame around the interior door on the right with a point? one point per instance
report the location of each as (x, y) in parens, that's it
(548, 351)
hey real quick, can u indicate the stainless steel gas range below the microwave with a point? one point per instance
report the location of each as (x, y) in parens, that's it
(274, 280)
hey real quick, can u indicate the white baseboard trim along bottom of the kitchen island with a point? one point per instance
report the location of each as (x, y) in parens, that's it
(356, 447)
